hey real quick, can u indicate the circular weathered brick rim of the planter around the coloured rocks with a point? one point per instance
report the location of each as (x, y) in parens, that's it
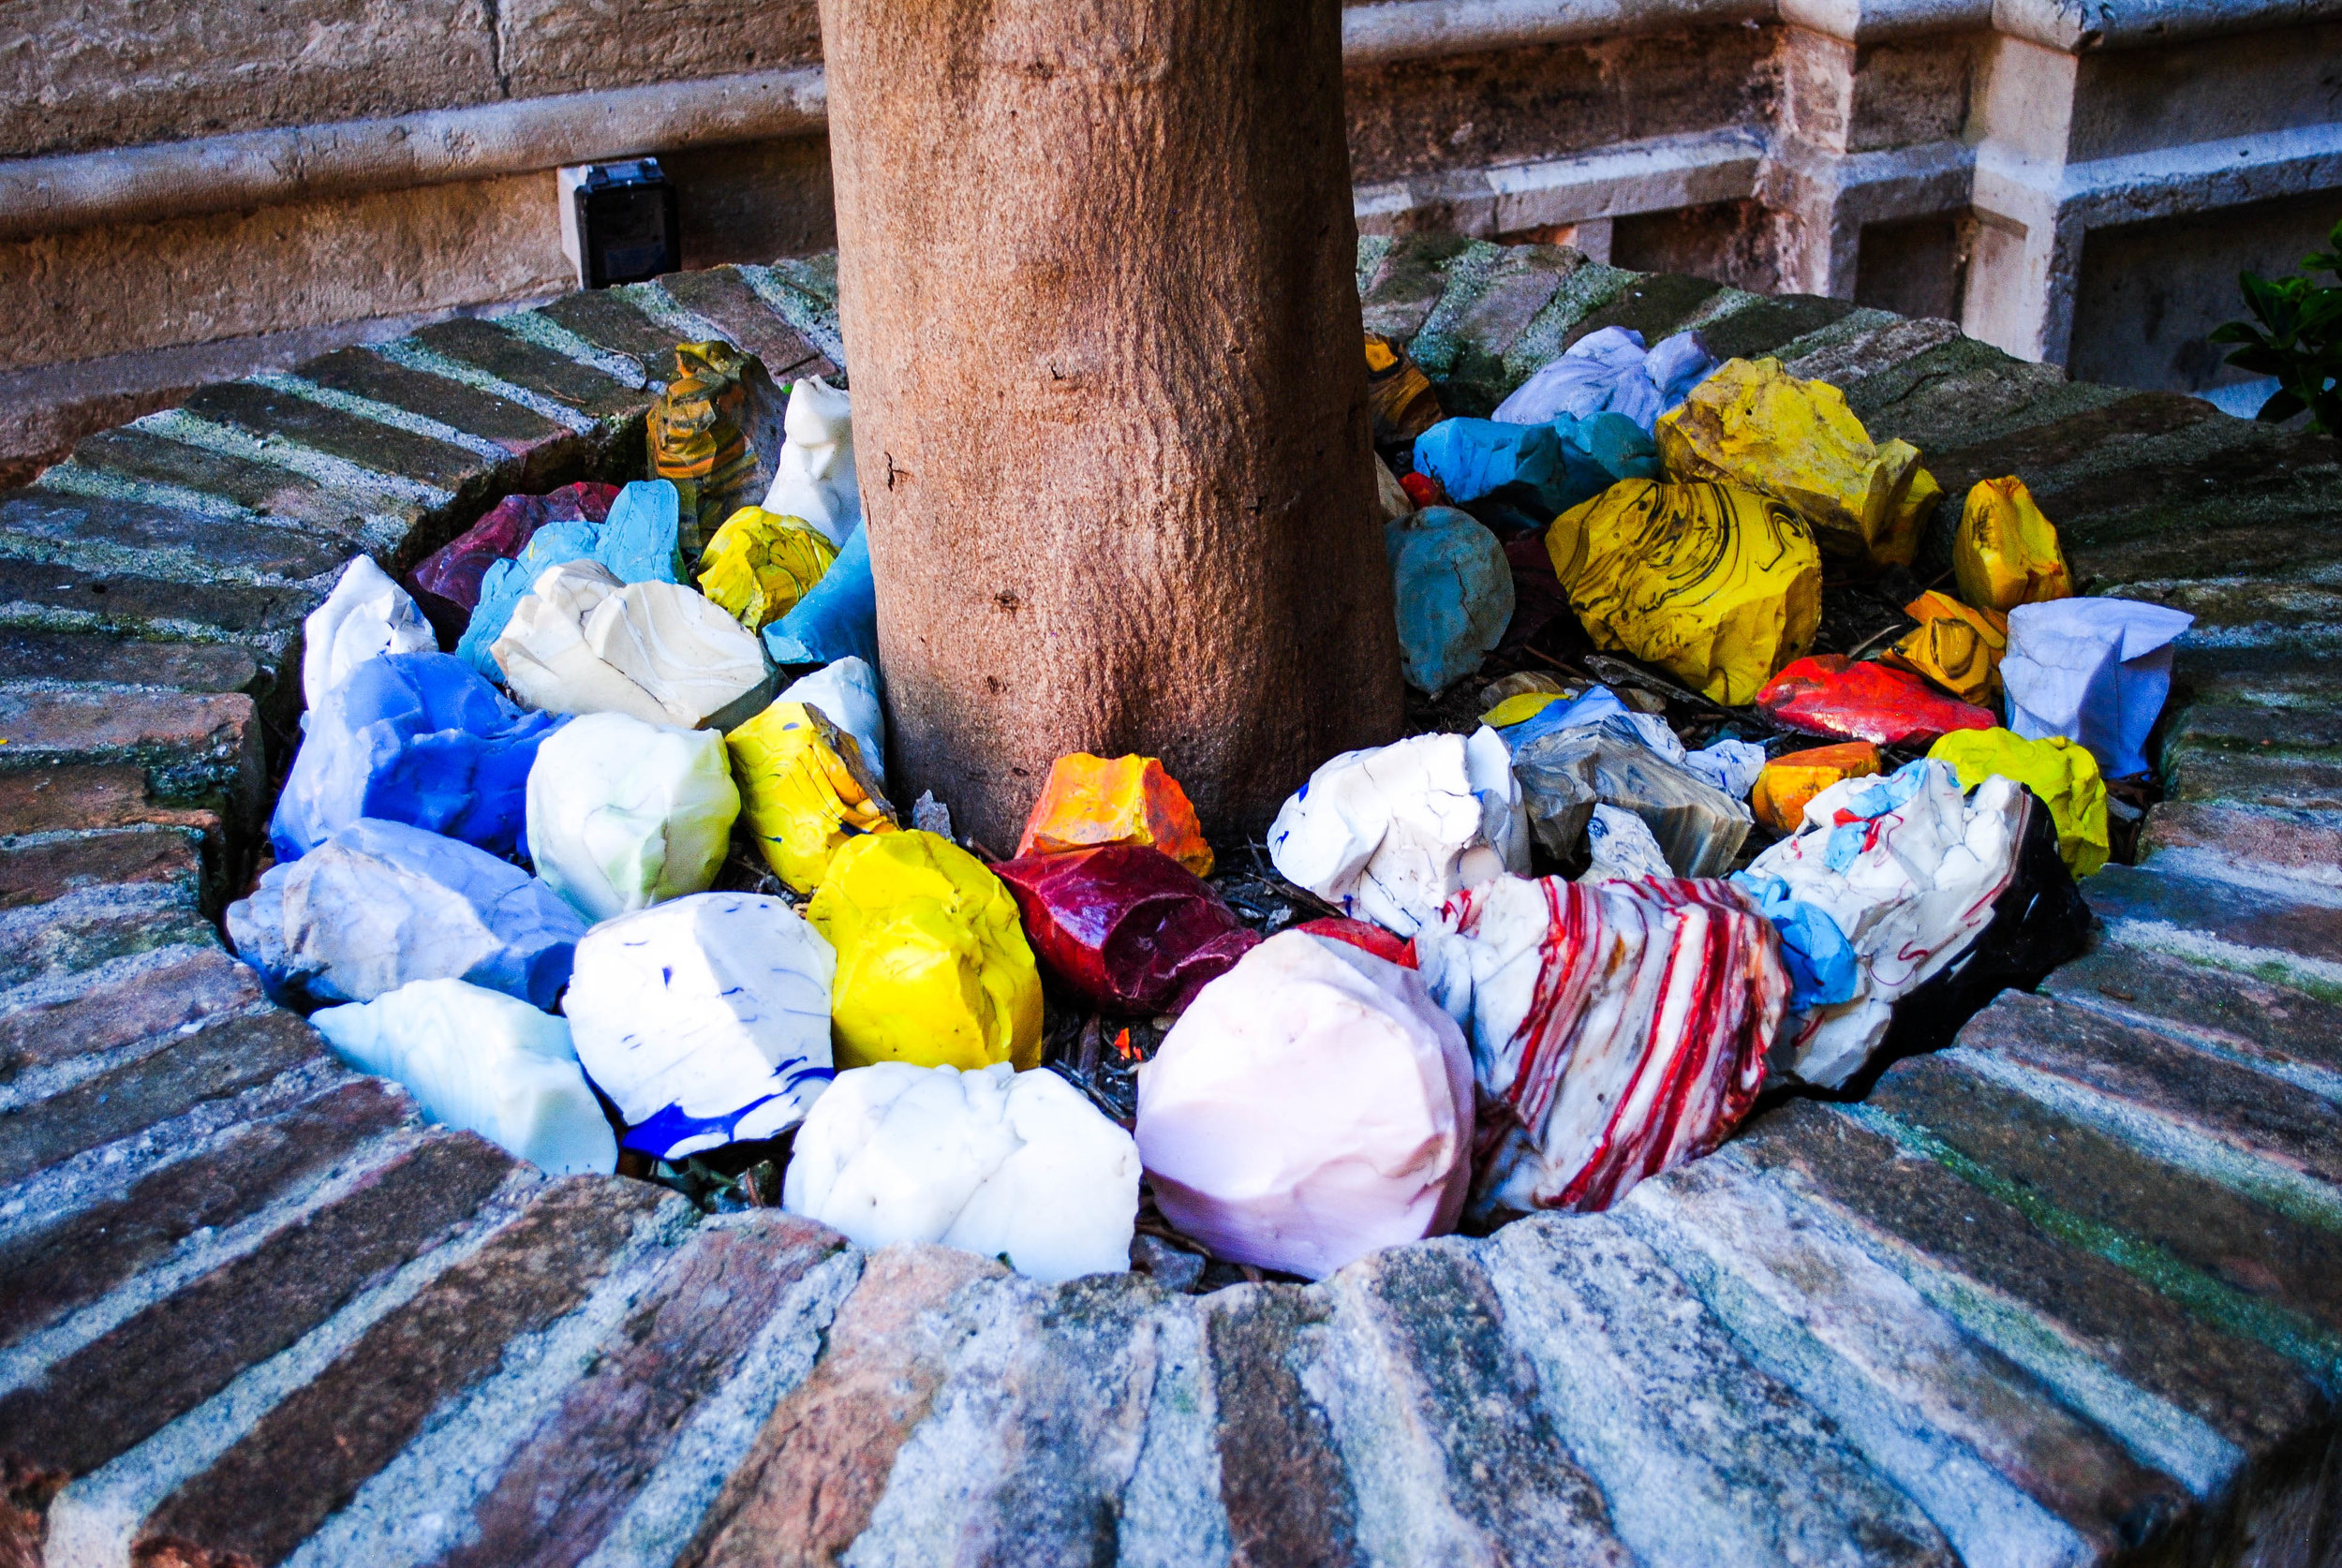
(2067, 1293)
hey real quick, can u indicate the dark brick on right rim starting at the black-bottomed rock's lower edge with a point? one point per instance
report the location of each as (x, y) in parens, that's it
(2235, 1106)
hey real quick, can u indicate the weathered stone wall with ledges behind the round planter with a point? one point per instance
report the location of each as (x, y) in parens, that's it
(203, 191)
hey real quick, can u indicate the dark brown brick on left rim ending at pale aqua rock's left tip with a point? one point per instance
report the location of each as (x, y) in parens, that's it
(214, 1064)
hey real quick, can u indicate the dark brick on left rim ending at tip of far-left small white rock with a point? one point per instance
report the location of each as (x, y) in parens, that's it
(158, 539)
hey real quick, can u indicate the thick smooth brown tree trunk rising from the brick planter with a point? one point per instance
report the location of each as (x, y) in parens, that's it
(1097, 277)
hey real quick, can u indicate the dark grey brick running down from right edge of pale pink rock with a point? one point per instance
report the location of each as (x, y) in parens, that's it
(1474, 1398)
